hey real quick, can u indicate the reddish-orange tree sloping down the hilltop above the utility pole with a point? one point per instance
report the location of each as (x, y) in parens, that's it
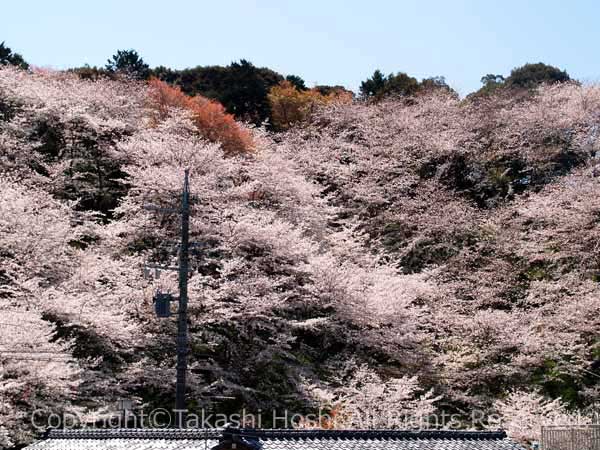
(209, 116)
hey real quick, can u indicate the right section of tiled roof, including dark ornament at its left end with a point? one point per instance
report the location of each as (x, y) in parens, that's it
(366, 440)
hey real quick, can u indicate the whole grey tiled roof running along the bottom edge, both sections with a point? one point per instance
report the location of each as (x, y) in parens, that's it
(252, 439)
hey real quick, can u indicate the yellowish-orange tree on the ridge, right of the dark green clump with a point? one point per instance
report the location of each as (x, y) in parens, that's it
(290, 105)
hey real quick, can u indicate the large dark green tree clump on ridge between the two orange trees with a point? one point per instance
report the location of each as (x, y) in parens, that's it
(241, 87)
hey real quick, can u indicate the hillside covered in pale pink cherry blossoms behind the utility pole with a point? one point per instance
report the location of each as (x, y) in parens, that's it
(419, 255)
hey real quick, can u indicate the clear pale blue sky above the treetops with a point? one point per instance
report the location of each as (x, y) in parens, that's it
(325, 42)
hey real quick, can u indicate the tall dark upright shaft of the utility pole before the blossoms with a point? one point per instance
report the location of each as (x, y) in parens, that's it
(182, 338)
